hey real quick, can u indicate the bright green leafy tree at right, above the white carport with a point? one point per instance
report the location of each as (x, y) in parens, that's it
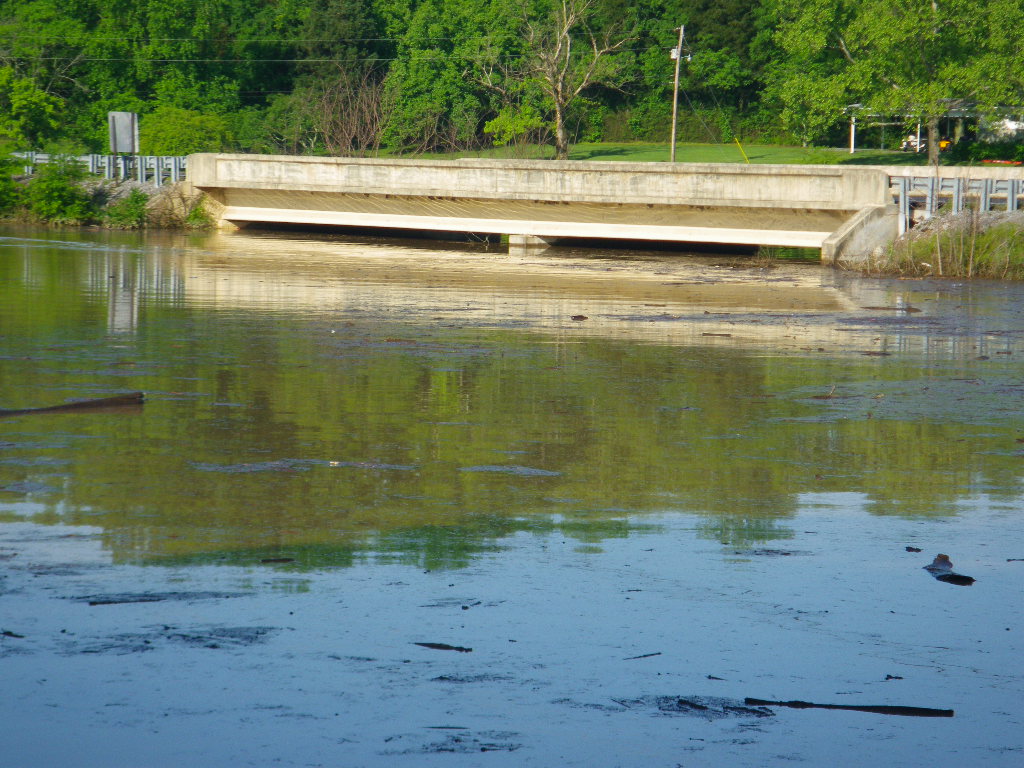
(906, 58)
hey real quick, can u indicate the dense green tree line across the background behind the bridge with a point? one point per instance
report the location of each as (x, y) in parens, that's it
(358, 77)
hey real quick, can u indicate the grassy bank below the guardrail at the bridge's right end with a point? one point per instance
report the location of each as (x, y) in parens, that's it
(965, 245)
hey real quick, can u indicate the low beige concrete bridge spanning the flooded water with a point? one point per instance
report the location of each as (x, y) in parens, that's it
(845, 212)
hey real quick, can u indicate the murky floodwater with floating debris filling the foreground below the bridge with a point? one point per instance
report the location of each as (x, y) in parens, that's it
(414, 505)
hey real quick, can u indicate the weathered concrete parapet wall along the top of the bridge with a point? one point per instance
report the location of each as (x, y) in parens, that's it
(815, 188)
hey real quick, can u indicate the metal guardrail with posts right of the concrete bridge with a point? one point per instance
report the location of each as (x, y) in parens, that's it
(930, 195)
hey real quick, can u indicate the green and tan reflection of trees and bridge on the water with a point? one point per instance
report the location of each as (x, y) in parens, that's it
(317, 403)
